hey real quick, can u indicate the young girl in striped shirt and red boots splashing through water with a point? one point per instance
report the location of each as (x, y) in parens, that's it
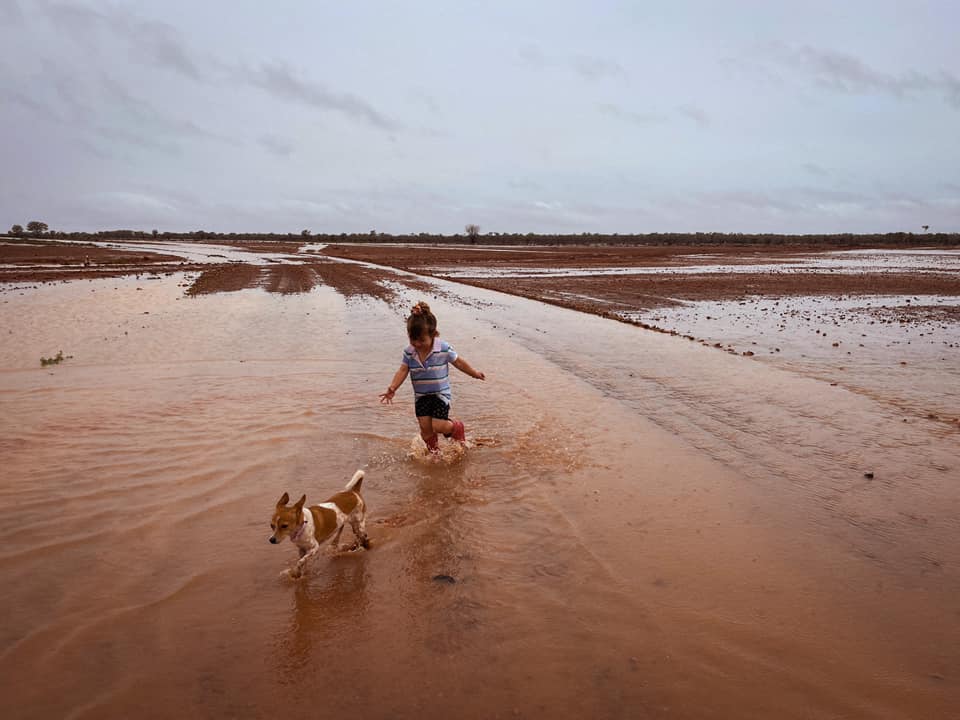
(427, 360)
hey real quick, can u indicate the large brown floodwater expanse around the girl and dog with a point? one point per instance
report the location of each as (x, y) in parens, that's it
(649, 527)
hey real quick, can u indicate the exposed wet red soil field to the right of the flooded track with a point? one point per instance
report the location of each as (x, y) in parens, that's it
(608, 295)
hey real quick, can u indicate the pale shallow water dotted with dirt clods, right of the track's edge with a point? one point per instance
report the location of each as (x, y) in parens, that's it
(901, 351)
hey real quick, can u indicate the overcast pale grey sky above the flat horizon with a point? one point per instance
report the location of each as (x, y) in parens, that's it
(551, 116)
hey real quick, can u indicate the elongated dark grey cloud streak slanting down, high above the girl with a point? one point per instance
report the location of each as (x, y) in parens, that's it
(278, 80)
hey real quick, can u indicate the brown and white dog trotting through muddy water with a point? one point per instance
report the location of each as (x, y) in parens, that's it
(309, 528)
